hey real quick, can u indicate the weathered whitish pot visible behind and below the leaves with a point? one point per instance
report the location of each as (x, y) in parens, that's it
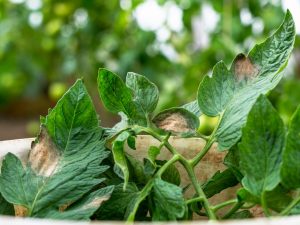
(187, 147)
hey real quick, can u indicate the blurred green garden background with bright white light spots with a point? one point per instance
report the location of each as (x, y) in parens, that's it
(46, 44)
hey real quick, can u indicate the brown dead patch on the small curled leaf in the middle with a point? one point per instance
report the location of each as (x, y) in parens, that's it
(172, 122)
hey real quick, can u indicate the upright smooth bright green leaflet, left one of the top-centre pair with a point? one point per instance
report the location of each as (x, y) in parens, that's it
(116, 97)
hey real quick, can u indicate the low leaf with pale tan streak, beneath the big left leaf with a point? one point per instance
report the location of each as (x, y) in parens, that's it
(85, 207)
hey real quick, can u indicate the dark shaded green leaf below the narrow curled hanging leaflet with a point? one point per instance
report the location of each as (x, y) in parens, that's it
(115, 207)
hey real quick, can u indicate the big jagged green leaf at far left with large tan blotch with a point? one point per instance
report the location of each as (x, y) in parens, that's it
(64, 162)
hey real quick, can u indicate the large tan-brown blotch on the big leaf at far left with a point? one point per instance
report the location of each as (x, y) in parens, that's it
(44, 155)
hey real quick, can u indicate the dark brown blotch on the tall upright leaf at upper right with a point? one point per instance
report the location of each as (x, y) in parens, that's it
(243, 68)
